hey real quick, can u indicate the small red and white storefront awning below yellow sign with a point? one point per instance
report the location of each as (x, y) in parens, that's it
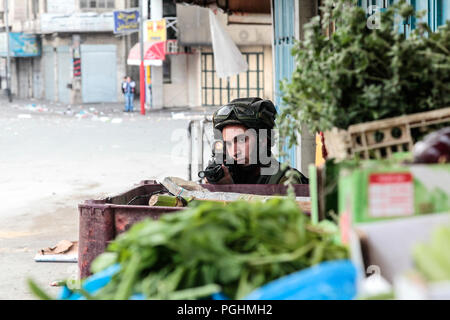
(154, 54)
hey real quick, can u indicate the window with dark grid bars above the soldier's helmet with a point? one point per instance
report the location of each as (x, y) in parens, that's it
(216, 91)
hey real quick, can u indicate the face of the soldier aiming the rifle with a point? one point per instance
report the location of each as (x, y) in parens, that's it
(240, 144)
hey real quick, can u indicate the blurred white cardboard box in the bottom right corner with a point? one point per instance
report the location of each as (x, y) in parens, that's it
(385, 248)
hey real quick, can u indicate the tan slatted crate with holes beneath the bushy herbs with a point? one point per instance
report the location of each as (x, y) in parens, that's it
(380, 139)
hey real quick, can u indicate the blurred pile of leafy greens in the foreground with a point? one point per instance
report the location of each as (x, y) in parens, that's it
(212, 248)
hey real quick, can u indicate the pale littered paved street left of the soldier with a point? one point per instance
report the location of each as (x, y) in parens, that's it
(53, 158)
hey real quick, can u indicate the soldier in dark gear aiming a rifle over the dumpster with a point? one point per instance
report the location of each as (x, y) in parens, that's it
(245, 128)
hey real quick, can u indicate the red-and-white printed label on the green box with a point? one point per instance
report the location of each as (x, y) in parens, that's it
(391, 194)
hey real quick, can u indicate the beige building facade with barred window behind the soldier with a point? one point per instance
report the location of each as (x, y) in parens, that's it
(252, 36)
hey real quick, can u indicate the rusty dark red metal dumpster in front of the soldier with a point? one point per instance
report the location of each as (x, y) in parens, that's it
(102, 220)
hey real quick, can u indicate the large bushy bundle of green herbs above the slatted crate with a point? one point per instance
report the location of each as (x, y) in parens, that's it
(358, 74)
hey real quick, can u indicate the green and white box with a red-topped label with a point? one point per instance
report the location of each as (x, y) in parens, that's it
(377, 190)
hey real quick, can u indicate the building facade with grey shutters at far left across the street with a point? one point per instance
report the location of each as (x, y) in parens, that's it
(80, 60)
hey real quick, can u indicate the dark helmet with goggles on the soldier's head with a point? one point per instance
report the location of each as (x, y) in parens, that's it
(253, 113)
